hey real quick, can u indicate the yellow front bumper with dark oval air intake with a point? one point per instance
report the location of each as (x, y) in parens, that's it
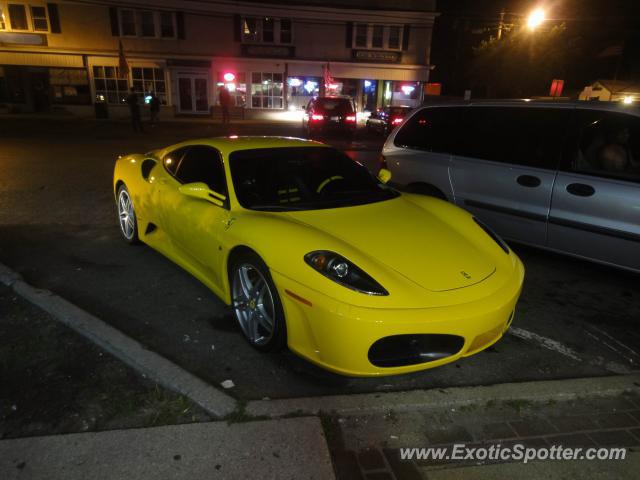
(338, 336)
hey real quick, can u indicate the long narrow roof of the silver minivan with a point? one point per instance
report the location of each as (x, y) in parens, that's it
(533, 103)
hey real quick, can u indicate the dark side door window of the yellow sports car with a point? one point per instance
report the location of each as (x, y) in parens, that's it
(203, 164)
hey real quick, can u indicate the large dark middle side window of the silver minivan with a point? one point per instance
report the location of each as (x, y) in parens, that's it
(529, 136)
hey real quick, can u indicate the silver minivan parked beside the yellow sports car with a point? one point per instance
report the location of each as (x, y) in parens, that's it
(562, 176)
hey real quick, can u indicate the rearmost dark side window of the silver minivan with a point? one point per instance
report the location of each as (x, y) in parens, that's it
(432, 129)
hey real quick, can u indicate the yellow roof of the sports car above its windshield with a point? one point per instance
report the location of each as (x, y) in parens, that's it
(227, 145)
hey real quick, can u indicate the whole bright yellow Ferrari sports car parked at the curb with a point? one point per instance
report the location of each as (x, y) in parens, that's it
(313, 252)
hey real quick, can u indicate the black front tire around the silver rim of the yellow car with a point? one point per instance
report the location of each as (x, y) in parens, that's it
(278, 339)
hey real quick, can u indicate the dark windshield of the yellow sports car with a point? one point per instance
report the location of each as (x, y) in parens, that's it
(302, 178)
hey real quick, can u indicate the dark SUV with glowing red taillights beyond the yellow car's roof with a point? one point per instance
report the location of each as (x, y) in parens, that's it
(325, 114)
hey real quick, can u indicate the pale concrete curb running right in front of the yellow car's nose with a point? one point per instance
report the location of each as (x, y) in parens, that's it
(539, 391)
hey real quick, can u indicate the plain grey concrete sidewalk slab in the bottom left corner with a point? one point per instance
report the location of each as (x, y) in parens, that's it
(284, 449)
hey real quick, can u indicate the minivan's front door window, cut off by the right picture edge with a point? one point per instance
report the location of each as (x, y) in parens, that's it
(608, 145)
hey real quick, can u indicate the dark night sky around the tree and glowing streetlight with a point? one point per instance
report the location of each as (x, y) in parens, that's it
(592, 26)
